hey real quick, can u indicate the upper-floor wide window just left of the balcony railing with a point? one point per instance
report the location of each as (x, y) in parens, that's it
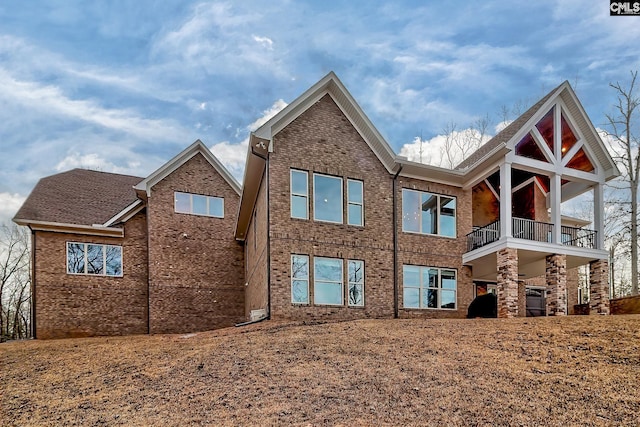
(428, 213)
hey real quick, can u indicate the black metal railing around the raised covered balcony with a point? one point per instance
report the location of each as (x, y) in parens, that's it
(531, 230)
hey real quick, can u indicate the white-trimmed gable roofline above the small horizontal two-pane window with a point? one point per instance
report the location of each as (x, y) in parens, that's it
(185, 155)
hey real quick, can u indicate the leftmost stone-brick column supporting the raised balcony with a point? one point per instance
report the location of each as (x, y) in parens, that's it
(507, 263)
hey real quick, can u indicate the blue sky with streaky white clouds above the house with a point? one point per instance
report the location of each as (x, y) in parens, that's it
(123, 86)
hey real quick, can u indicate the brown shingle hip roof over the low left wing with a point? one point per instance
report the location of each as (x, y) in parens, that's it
(79, 196)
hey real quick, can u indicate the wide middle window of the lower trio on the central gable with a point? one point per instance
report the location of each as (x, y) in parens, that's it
(327, 281)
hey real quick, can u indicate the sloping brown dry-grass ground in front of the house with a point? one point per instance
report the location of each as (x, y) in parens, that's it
(569, 371)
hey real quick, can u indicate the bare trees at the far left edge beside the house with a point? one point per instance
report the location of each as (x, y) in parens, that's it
(15, 282)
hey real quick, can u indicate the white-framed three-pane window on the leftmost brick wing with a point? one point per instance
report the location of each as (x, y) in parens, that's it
(94, 259)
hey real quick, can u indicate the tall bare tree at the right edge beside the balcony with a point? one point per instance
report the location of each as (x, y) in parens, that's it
(623, 132)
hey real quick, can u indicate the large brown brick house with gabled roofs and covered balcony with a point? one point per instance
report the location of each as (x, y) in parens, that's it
(329, 224)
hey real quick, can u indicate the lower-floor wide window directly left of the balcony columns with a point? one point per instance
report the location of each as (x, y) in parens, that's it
(429, 287)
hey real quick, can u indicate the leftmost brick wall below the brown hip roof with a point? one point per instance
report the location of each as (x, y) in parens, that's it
(84, 305)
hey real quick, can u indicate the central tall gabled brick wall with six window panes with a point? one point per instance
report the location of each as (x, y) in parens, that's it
(323, 140)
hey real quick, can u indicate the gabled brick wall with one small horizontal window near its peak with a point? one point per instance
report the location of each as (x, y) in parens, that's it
(196, 266)
